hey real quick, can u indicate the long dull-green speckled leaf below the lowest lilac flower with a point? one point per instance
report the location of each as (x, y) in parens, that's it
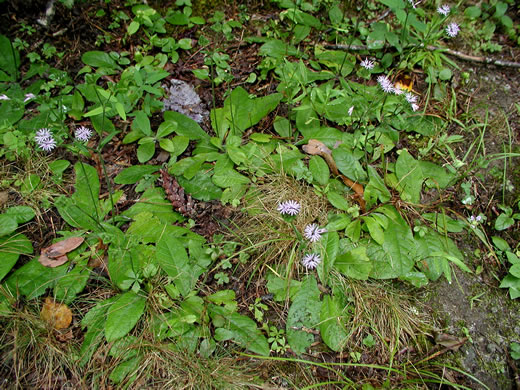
(303, 313)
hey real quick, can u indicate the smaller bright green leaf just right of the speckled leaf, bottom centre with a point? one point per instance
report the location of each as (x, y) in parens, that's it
(332, 318)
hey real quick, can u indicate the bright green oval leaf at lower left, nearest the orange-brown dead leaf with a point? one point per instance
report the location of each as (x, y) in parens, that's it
(123, 314)
